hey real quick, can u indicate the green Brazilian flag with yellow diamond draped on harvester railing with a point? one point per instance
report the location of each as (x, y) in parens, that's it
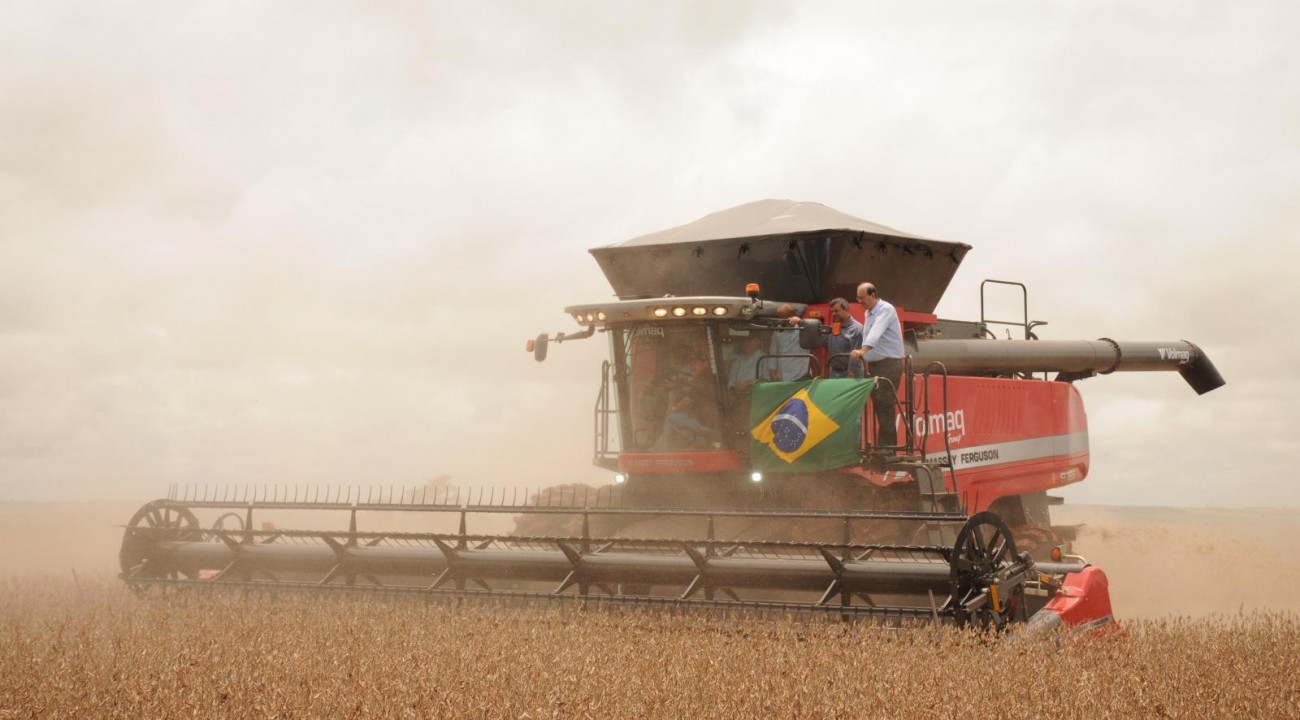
(808, 427)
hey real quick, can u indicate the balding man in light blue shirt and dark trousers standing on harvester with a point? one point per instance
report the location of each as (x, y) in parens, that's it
(882, 349)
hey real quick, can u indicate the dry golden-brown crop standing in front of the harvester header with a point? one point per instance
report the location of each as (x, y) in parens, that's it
(97, 652)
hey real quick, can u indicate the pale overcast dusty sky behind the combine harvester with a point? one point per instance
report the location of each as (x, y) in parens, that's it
(278, 242)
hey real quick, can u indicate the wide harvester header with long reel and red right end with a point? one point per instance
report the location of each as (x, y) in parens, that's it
(981, 582)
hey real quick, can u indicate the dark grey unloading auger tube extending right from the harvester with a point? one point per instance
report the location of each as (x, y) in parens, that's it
(1073, 359)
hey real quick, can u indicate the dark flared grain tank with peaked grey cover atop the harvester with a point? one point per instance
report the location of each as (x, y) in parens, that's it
(799, 251)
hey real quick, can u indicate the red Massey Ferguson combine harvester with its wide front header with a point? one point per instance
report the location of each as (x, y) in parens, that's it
(722, 426)
